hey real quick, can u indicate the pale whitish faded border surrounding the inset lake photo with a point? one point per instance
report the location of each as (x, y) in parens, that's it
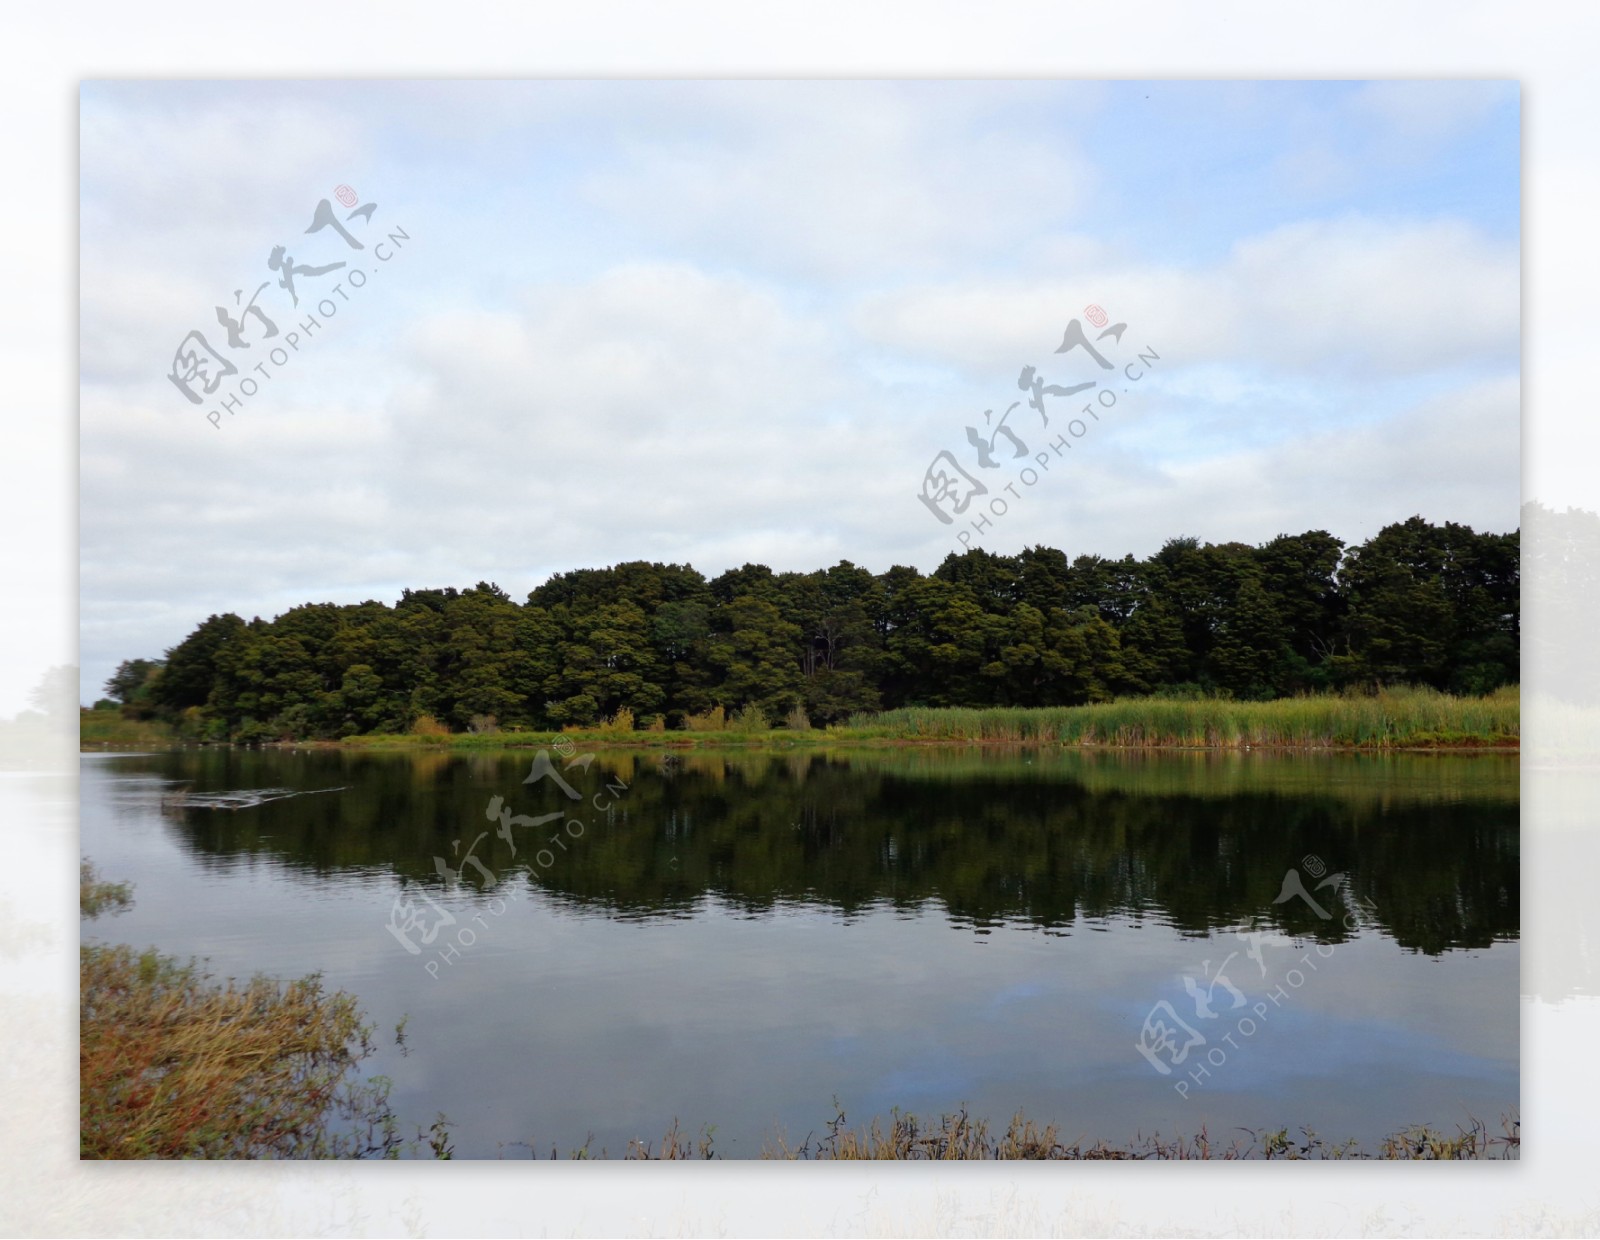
(47, 54)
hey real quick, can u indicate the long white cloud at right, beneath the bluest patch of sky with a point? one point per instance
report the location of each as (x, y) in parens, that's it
(1350, 297)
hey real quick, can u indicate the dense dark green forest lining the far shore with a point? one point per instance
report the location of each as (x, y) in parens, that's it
(660, 644)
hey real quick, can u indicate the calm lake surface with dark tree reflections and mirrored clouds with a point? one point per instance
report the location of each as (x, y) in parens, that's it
(738, 940)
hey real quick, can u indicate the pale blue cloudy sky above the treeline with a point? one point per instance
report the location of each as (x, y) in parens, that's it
(729, 322)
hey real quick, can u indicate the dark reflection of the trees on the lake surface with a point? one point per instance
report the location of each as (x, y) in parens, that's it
(1020, 841)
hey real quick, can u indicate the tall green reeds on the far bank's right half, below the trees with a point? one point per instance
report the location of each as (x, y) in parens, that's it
(1390, 719)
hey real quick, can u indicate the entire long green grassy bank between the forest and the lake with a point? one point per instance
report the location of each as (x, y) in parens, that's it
(1391, 719)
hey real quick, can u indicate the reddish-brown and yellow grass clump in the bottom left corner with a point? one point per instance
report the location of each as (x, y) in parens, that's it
(175, 1065)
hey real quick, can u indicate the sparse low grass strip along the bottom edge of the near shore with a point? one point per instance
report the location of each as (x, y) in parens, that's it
(961, 1138)
